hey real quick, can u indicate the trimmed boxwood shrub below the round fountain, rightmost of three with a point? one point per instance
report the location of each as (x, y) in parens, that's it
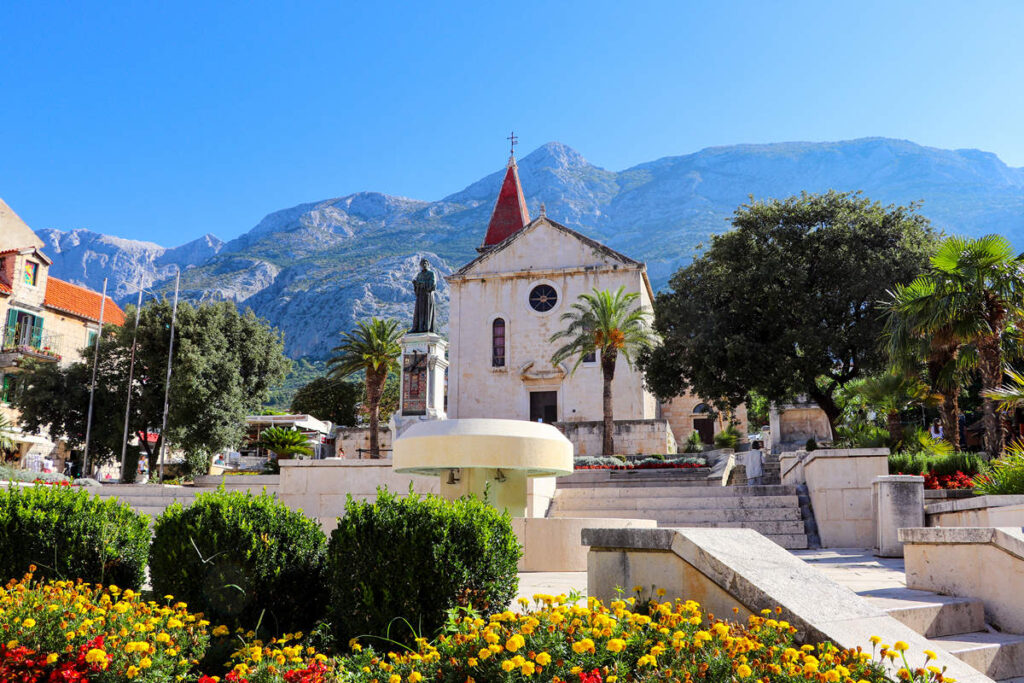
(402, 561)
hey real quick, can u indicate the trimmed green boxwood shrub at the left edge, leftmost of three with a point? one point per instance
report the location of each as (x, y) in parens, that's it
(69, 534)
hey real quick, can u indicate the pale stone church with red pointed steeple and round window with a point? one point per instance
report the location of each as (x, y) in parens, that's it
(504, 308)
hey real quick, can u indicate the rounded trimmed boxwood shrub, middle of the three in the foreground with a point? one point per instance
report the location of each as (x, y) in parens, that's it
(242, 560)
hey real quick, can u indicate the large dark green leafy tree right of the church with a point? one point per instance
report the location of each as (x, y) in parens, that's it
(787, 297)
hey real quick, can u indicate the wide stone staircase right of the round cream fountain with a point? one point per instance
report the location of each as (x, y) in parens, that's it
(684, 498)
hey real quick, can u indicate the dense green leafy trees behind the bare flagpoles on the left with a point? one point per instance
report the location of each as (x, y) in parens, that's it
(225, 365)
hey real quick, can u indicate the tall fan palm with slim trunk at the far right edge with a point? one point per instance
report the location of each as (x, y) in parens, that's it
(983, 282)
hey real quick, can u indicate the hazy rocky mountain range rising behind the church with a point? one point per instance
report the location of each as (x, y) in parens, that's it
(316, 269)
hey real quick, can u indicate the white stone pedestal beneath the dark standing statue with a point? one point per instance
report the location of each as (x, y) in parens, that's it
(423, 364)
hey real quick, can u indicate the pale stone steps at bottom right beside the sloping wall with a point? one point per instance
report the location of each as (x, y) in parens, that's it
(956, 625)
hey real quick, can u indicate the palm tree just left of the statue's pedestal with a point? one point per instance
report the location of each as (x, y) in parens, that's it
(374, 349)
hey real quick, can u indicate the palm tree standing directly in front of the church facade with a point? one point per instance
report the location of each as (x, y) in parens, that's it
(608, 325)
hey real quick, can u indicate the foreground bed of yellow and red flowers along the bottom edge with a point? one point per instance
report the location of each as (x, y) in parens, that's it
(66, 631)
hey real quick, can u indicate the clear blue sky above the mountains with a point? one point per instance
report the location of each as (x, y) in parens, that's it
(165, 121)
